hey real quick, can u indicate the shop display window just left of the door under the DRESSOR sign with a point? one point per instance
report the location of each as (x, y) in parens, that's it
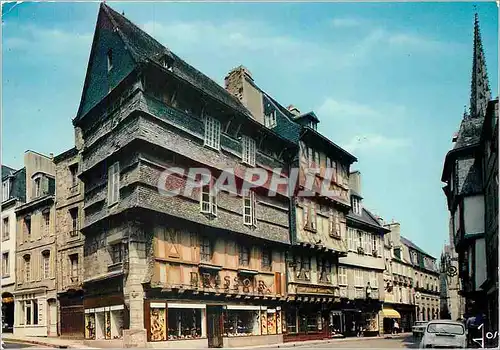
(184, 324)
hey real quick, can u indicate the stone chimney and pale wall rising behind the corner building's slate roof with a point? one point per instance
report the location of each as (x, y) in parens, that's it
(239, 82)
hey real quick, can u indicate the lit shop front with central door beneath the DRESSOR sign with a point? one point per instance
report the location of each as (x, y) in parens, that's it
(201, 324)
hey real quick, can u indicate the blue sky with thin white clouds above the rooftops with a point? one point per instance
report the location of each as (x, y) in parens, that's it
(388, 81)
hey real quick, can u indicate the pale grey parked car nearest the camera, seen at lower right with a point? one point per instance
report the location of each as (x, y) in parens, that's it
(444, 334)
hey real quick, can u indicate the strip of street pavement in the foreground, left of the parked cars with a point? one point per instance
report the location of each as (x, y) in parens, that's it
(374, 343)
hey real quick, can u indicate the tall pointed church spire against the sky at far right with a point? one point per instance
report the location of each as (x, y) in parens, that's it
(480, 89)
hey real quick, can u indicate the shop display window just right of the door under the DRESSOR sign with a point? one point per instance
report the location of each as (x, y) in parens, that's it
(241, 323)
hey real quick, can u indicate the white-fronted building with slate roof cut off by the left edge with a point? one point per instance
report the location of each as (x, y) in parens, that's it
(13, 195)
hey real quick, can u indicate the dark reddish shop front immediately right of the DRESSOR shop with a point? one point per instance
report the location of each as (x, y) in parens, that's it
(306, 322)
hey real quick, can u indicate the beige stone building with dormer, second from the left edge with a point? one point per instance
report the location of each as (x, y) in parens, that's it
(35, 291)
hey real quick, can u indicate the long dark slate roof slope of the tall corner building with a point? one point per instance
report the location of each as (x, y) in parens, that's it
(144, 47)
